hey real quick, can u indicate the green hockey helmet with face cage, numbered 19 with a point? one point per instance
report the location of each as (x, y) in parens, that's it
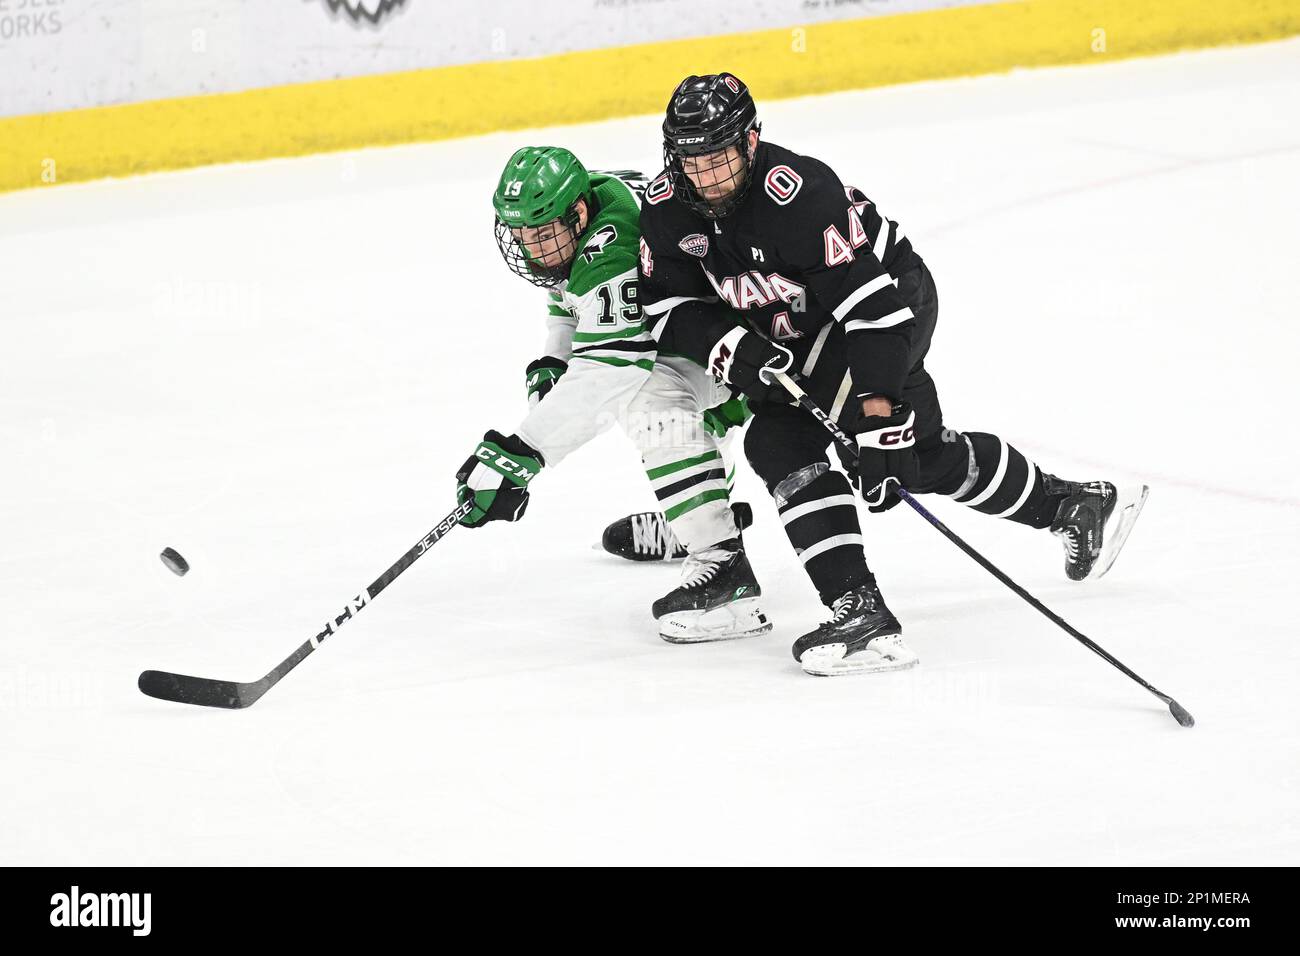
(536, 213)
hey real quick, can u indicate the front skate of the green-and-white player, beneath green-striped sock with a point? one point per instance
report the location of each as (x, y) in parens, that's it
(717, 600)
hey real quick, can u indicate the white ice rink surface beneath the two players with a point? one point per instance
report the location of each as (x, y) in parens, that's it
(276, 369)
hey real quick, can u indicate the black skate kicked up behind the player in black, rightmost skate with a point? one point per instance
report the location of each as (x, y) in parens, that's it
(1094, 524)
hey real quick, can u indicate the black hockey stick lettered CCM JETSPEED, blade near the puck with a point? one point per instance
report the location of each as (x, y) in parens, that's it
(236, 697)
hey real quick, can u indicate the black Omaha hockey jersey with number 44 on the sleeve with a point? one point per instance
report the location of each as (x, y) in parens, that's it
(800, 254)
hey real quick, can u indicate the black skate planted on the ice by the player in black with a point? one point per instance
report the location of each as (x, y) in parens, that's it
(861, 638)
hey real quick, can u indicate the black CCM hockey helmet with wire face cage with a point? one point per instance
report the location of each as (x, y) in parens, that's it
(708, 115)
